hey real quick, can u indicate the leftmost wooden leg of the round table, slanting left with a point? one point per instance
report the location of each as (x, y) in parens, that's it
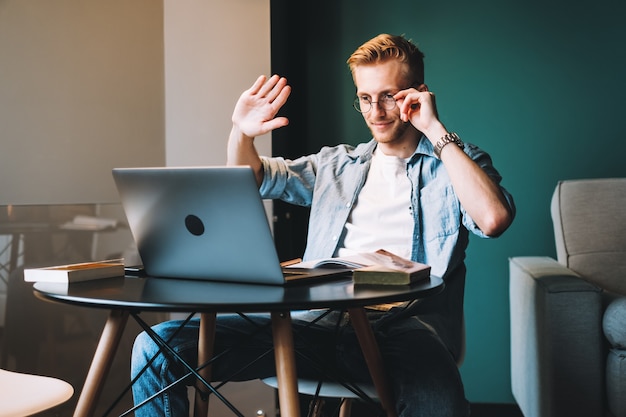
(101, 363)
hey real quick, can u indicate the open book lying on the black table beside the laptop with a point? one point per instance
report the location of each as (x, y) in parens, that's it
(378, 268)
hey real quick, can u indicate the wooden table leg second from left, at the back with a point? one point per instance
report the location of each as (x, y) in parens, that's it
(205, 353)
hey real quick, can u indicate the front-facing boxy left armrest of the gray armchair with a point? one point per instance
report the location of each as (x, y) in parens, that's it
(557, 364)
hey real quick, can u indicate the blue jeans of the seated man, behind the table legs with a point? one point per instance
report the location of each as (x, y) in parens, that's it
(424, 375)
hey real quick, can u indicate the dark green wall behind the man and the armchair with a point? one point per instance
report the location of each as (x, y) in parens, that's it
(540, 85)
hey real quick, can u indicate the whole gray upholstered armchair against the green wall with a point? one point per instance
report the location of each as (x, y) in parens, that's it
(568, 316)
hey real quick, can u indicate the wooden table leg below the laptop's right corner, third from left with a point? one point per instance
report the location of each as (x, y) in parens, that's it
(288, 399)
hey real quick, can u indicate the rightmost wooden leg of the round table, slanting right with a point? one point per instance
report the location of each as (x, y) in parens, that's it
(373, 359)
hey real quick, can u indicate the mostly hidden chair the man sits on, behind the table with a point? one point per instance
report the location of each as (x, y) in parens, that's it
(330, 389)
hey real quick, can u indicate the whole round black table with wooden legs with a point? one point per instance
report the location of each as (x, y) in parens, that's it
(126, 295)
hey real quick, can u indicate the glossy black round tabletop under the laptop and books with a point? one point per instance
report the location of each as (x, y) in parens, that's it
(183, 295)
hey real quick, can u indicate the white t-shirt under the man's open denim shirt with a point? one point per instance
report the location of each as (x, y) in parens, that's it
(381, 216)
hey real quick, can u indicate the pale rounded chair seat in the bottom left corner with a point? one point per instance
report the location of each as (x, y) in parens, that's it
(26, 394)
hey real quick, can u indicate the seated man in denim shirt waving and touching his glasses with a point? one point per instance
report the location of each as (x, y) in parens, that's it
(415, 189)
